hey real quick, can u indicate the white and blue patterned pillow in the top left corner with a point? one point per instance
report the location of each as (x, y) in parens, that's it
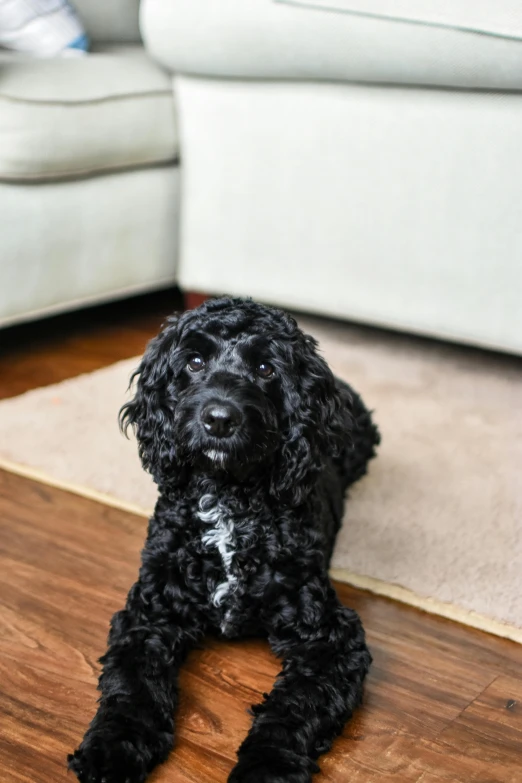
(41, 28)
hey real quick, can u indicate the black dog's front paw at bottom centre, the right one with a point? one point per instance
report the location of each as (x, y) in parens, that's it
(272, 765)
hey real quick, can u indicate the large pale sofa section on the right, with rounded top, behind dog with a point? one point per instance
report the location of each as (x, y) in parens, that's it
(343, 162)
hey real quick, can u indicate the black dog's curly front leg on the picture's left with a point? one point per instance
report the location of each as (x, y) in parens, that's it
(132, 730)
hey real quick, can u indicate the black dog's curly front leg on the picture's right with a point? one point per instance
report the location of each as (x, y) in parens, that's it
(325, 662)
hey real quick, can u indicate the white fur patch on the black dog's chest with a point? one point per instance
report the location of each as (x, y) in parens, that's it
(220, 536)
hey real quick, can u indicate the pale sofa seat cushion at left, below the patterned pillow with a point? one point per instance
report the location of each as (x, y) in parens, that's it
(109, 110)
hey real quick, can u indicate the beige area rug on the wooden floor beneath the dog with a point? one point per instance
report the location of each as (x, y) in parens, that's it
(438, 520)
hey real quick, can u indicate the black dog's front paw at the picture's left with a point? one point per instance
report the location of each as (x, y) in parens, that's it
(100, 760)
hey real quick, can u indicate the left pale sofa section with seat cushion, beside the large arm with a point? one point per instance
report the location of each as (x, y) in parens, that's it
(89, 177)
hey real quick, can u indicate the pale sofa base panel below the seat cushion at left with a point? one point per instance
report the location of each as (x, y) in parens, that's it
(83, 241)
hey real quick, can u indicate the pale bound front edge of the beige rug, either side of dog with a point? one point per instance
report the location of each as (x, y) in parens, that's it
(376, 586)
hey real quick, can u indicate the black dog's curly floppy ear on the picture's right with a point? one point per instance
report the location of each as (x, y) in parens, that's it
(316, 423)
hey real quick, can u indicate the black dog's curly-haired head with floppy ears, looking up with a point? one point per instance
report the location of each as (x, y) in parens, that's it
(236, 387)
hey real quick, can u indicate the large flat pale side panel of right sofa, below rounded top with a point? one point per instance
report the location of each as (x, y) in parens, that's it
(399, 207)
